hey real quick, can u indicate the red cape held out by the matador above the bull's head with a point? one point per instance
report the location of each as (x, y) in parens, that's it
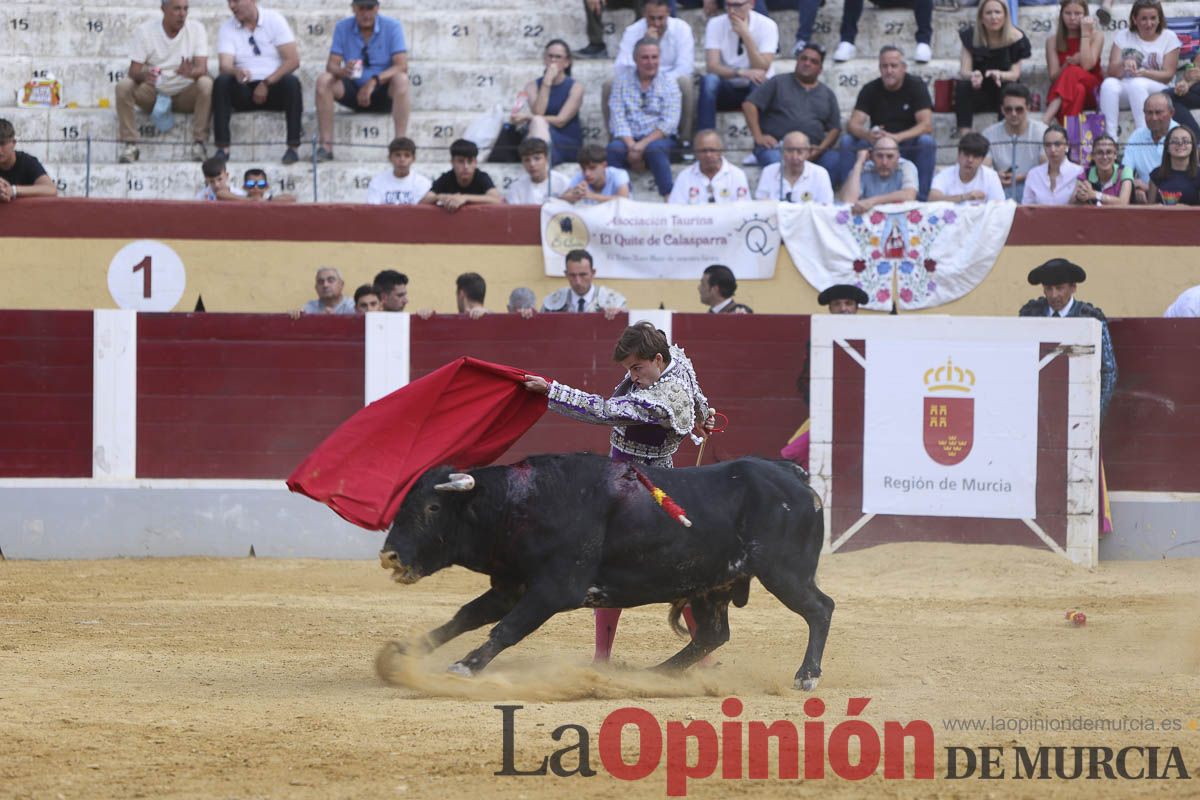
(466, 414)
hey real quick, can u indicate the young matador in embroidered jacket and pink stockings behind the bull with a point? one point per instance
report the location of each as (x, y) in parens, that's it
(657, 406)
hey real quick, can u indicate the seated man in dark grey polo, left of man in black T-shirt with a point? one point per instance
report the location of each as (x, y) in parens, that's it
(797, 103)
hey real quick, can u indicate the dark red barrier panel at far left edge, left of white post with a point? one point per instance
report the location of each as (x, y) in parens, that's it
(46, 394)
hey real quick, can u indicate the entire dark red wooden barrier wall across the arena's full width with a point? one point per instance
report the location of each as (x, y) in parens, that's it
(250, 395)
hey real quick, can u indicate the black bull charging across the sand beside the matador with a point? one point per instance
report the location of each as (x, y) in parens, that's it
(559, 533)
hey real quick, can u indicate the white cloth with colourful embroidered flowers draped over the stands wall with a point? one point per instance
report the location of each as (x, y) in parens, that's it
(916, 255)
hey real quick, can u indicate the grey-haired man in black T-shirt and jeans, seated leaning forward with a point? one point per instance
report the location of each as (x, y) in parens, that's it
(896, 105)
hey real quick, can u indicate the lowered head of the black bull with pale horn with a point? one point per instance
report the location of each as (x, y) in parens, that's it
(430, 528)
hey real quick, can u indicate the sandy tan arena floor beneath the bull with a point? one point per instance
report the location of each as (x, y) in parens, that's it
(196, 678)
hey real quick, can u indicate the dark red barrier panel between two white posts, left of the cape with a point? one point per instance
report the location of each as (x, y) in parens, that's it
(242, 395)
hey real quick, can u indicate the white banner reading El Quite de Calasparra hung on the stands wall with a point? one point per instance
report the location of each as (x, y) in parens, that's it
(655, 240)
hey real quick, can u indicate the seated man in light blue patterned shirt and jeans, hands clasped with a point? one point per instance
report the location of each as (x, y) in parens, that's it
(645, 118)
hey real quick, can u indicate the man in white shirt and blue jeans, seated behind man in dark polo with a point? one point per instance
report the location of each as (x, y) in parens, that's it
(740, 49)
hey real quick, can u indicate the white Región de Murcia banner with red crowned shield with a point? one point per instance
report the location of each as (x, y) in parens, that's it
(951, 429)
